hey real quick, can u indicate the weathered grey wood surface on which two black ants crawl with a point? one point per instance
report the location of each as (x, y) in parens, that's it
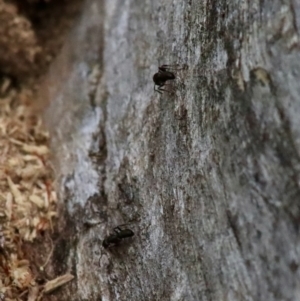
(207, 176)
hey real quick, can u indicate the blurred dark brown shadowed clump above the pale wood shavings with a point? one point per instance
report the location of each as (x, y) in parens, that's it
(31, 35)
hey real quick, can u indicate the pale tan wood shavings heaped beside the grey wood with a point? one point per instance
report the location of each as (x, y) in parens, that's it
(27, 197)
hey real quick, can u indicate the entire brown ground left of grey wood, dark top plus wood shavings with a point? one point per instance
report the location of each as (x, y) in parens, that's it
(31, 34)
